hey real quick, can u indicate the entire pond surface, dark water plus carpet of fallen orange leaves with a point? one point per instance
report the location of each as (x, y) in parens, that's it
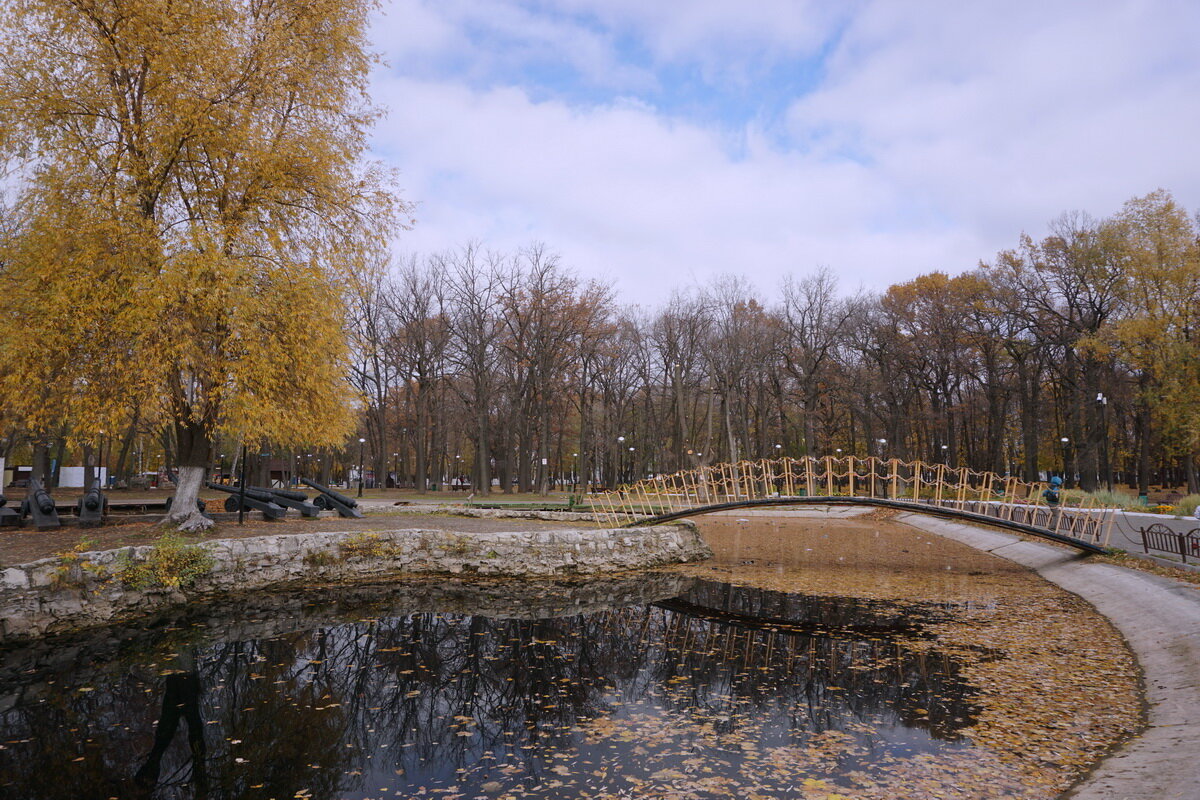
(803, 665)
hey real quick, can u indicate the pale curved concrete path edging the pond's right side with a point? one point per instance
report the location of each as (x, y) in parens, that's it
(1161, 621)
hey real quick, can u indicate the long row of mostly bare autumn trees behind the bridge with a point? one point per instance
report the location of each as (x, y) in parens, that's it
(1079, 351)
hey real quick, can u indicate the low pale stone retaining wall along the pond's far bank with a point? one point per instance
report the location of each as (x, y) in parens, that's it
(44, 598)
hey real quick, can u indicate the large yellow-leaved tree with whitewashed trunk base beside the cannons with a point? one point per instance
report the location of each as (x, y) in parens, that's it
(191, 208)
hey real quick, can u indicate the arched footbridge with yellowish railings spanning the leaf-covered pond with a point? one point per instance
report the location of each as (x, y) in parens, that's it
(938, 490)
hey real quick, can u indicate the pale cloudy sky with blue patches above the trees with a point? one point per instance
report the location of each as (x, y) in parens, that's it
(658, 143)
